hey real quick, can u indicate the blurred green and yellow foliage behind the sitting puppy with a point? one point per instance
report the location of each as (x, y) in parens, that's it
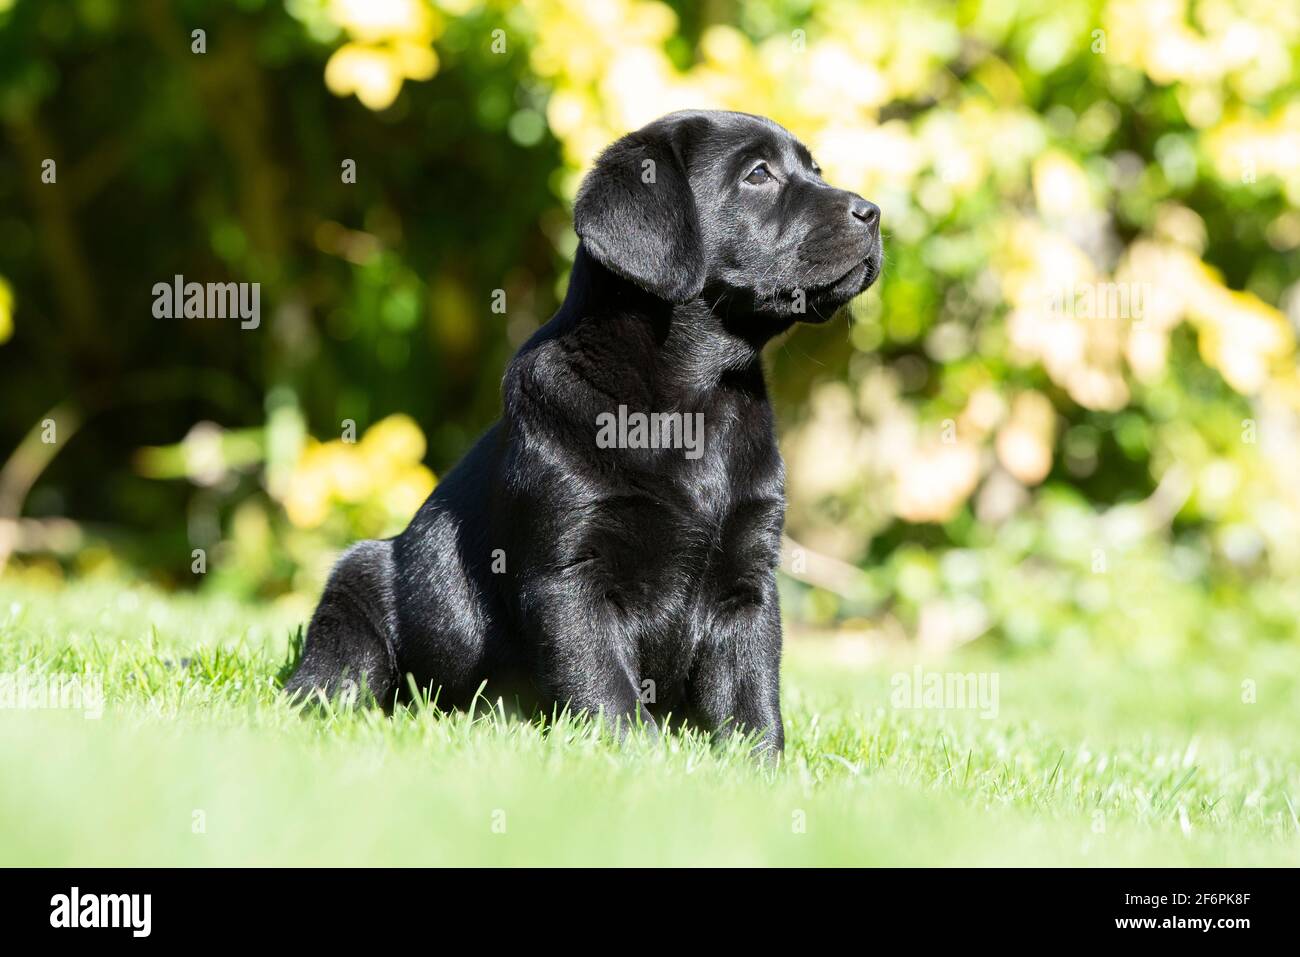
(1071, 408)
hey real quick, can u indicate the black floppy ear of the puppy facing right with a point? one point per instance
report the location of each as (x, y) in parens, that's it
(636, 214)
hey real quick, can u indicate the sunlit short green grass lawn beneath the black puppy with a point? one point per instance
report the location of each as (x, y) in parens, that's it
(1090, 761)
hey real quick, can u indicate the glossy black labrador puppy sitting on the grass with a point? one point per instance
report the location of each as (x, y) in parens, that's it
(612, 544)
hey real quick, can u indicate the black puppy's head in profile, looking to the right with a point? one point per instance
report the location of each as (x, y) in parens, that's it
(731, 207)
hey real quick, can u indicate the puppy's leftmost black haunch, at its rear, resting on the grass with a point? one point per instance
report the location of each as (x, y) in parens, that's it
(350, 649)
